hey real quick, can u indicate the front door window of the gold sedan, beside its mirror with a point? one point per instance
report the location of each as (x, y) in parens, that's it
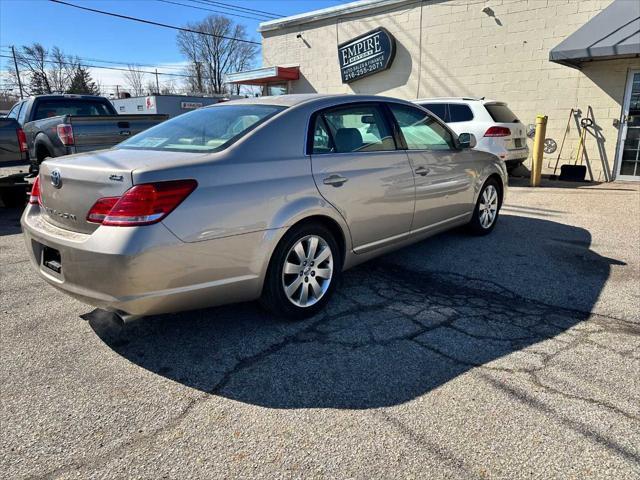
(420, 130)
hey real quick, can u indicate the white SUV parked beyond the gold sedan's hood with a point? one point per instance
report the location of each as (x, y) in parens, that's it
(495, 126)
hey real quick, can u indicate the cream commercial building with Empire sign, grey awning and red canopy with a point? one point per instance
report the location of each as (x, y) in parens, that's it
(567, 59)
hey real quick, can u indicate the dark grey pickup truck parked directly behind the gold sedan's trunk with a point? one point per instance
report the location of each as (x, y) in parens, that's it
(57, 125)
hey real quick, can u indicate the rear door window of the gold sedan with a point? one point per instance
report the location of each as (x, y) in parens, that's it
(358, 128)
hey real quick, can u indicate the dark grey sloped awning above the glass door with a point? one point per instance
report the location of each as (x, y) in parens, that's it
(613, 33)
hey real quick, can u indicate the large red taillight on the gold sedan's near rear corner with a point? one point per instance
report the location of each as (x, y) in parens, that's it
(142, 204)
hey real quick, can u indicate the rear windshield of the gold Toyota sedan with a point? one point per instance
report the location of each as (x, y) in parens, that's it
(204, 130)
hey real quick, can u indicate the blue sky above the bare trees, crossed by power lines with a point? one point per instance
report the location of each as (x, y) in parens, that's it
(91, 35)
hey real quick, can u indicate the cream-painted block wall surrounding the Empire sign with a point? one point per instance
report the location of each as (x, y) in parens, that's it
(452, 48)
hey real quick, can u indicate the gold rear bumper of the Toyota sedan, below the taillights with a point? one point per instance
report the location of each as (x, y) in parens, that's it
(147, 270)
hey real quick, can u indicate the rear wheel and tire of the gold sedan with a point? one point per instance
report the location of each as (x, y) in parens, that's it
(298, 264)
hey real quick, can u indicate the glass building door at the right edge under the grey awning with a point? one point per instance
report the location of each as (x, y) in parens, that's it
(629, 153)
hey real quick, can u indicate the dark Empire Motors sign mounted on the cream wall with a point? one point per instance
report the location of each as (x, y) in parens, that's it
(365, 55)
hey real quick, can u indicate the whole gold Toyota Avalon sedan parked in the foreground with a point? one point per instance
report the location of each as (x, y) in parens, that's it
(266, 198)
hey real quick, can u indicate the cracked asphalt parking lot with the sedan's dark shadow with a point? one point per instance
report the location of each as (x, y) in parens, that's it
(515, 355)
